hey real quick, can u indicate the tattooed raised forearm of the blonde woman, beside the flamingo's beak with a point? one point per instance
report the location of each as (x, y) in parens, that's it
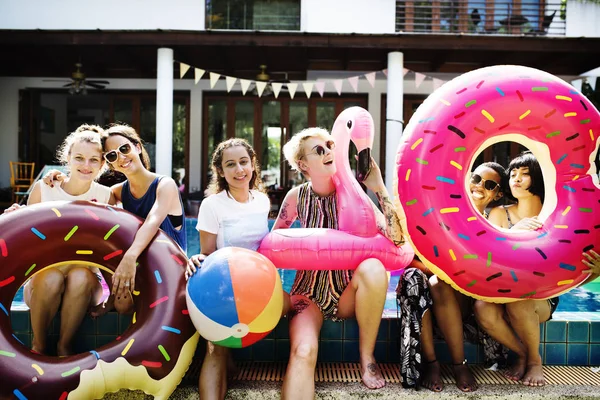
(390, 224)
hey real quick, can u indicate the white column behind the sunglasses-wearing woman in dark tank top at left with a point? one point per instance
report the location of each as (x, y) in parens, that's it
(164, 111)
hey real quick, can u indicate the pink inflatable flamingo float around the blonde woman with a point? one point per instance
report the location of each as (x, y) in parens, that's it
(358, 238)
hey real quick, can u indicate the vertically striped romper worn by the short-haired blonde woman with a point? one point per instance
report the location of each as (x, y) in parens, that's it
(323, 288)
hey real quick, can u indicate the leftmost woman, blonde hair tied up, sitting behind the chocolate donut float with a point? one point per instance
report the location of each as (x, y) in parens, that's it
(73, 288)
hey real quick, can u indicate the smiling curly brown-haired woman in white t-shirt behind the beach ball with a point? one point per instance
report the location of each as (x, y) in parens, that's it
(234, 214)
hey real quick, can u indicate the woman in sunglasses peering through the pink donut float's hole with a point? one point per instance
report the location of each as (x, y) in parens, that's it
(449, 306)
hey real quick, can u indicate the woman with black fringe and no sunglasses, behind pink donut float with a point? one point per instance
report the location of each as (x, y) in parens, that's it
(516, 325)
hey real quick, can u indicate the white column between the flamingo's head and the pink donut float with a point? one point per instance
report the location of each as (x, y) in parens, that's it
(394, 115)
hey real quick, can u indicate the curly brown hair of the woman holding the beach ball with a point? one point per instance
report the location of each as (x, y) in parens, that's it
(218, 183)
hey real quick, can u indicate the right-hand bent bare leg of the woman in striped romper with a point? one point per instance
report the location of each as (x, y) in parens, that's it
(365, 298)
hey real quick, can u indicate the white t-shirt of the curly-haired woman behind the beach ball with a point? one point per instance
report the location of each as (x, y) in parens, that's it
(235, 224)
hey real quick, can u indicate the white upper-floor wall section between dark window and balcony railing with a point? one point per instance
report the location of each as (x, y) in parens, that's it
(348, 16)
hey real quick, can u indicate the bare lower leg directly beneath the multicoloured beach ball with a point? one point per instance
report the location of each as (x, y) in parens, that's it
(213, 376)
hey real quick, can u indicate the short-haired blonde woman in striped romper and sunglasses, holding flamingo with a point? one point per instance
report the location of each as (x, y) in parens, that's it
(335, 295)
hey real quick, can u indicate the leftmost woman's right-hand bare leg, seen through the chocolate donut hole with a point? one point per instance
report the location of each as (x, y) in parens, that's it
(82, 289)
